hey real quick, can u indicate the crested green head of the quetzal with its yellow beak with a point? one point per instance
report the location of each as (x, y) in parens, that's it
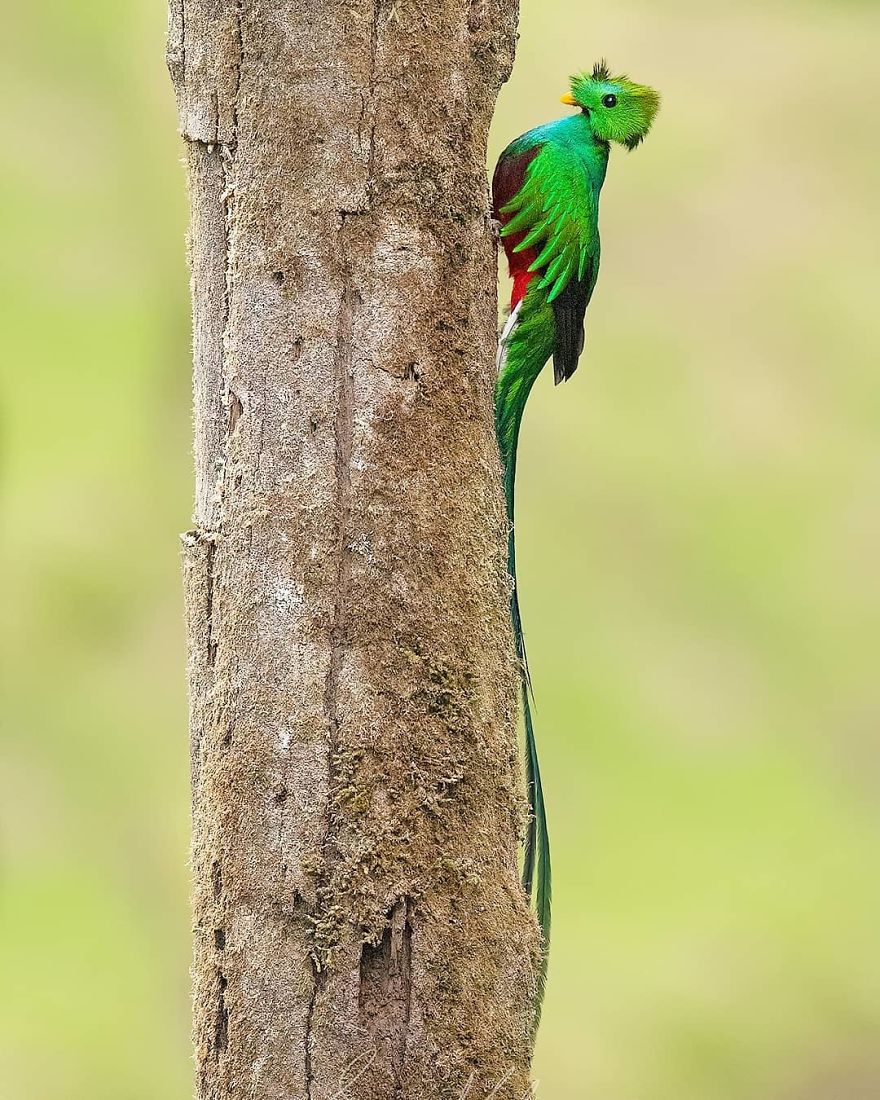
(619, 109)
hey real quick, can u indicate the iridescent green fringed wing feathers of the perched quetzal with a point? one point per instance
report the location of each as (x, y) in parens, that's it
(556, 208)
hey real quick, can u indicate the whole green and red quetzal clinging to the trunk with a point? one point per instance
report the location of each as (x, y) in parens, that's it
(545, 196)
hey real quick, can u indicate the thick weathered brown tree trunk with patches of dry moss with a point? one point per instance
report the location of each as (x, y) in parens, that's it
(360, 930)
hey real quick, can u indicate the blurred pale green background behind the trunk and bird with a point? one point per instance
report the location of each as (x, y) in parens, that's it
(699, 547)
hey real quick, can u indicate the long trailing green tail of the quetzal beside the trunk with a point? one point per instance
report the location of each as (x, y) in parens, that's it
(524, 349)
